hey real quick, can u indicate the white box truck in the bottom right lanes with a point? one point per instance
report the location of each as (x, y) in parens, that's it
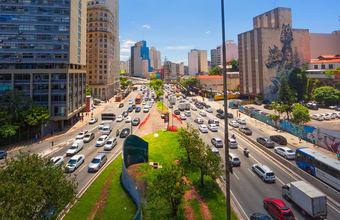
(309, 199)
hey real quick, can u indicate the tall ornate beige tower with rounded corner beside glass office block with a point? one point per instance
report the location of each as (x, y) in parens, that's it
(102, 40)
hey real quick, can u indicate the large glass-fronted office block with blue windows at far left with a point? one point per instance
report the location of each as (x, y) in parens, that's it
(43, 53)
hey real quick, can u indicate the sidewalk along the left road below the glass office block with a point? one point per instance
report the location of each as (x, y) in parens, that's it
(67, 130)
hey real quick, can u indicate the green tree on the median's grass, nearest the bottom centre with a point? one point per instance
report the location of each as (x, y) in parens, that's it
(169, 185)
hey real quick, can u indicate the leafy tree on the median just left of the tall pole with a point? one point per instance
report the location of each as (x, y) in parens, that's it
(208, 162)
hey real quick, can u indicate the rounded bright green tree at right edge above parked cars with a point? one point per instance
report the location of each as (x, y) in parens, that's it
(327, 94)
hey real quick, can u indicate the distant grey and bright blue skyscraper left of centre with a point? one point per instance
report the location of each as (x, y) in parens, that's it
(139, 53)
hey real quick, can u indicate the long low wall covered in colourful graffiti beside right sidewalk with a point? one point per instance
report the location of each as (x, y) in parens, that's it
(327, 139)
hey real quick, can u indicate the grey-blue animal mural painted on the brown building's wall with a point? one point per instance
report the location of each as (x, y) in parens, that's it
(281, 60)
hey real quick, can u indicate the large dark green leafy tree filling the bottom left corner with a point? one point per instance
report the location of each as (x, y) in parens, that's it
(30, 187)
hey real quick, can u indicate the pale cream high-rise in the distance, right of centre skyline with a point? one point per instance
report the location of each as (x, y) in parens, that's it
(197, 62)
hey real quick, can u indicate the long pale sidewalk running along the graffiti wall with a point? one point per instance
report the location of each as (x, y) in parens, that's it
(292, 140)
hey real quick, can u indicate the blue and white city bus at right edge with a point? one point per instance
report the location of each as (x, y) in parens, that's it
(319, 165)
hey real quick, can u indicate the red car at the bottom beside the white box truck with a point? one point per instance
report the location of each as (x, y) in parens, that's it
(278, 209)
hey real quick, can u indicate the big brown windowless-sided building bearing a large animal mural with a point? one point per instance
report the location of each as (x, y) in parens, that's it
(270, 51)
